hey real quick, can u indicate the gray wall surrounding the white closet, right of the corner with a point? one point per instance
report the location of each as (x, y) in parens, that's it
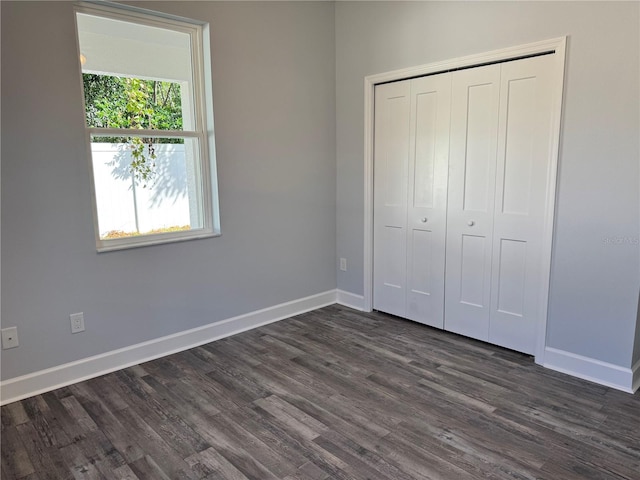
(594, 282)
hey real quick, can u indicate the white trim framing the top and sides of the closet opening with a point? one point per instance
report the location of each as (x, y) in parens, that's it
(557, 45)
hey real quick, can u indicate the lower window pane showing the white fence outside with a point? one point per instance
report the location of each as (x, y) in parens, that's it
(146, 186)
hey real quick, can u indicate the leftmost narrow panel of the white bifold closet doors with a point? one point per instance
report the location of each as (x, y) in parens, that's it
(391, 167)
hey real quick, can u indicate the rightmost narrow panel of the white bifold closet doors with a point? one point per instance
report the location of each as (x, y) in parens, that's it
(523, 162)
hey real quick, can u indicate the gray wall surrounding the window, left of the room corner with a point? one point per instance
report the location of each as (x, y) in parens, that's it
(274, 95)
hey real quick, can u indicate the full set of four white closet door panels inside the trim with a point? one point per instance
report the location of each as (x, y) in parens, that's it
(461, 167)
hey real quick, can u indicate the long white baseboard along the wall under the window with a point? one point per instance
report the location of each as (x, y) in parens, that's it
(62, 375)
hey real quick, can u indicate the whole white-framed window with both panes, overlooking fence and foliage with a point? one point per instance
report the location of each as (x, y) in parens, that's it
(149, 118)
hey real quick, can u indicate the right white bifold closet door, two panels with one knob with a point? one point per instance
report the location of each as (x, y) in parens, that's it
(499, 165)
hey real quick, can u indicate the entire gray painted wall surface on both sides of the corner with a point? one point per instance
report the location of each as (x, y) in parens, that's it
(284, 83)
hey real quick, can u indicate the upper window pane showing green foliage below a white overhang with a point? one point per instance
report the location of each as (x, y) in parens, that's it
(136, 74)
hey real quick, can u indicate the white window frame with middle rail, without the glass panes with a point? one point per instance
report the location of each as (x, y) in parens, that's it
(203, 123)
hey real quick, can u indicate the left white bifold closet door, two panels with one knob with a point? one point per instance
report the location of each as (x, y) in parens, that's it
(410, 181)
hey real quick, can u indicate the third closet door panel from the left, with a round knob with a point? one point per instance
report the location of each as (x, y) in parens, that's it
(471, 199)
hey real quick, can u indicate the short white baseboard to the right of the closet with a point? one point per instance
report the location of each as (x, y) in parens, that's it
(593, 370)
